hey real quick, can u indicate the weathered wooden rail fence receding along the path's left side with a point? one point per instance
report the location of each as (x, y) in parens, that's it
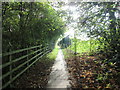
(39, 52)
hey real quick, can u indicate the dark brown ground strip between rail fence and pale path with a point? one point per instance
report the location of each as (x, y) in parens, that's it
(36, 76)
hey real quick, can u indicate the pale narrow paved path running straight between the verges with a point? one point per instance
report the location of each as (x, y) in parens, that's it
(59, 75)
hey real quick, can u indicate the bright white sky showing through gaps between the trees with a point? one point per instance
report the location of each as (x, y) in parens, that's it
(75, 15)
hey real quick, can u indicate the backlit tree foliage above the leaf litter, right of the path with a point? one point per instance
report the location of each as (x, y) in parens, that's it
(100, 21)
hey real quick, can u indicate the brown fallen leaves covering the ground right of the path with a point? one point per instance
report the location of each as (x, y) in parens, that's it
(88, 72)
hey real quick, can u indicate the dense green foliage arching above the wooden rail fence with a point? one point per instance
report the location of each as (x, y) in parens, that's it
(27, 24)
